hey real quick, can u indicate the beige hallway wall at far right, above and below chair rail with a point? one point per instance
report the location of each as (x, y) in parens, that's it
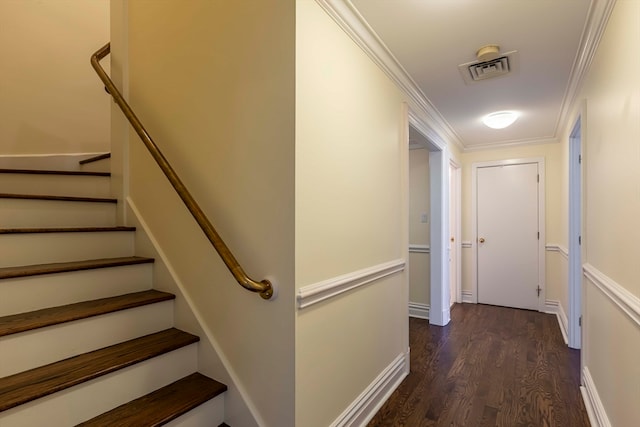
(611, 155)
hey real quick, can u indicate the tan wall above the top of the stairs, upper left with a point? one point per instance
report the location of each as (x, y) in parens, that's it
(51, 100)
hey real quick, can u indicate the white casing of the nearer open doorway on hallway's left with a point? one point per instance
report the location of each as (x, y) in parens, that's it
(439, 309)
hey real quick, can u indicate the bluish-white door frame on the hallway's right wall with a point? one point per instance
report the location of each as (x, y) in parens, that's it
(575, 234)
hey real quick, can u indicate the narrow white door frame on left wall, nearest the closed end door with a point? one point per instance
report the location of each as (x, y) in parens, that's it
(455, 226)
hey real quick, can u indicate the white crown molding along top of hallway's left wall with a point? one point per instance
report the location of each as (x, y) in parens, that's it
(353, 23)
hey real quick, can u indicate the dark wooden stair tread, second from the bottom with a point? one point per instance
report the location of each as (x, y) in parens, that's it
(33, 384)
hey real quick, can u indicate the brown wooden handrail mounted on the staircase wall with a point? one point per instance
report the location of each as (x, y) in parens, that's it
(264, 287)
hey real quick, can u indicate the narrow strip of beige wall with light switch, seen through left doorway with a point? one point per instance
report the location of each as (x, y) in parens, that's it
(419, 267)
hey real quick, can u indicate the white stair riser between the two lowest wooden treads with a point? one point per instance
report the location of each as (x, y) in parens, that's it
(84, 401)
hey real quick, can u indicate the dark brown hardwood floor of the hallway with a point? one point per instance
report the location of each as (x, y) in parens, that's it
(491, 366)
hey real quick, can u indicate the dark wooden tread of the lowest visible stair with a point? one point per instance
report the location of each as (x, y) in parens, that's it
(161, 406)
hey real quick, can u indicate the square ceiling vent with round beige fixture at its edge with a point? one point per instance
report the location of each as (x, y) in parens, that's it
(490, 63)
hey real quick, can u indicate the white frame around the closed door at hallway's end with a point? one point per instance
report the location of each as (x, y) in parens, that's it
(541, 223)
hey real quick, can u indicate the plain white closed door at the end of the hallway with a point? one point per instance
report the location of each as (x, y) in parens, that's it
(508, 233)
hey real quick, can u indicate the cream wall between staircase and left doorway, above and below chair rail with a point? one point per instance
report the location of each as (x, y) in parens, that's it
(350, 215)
